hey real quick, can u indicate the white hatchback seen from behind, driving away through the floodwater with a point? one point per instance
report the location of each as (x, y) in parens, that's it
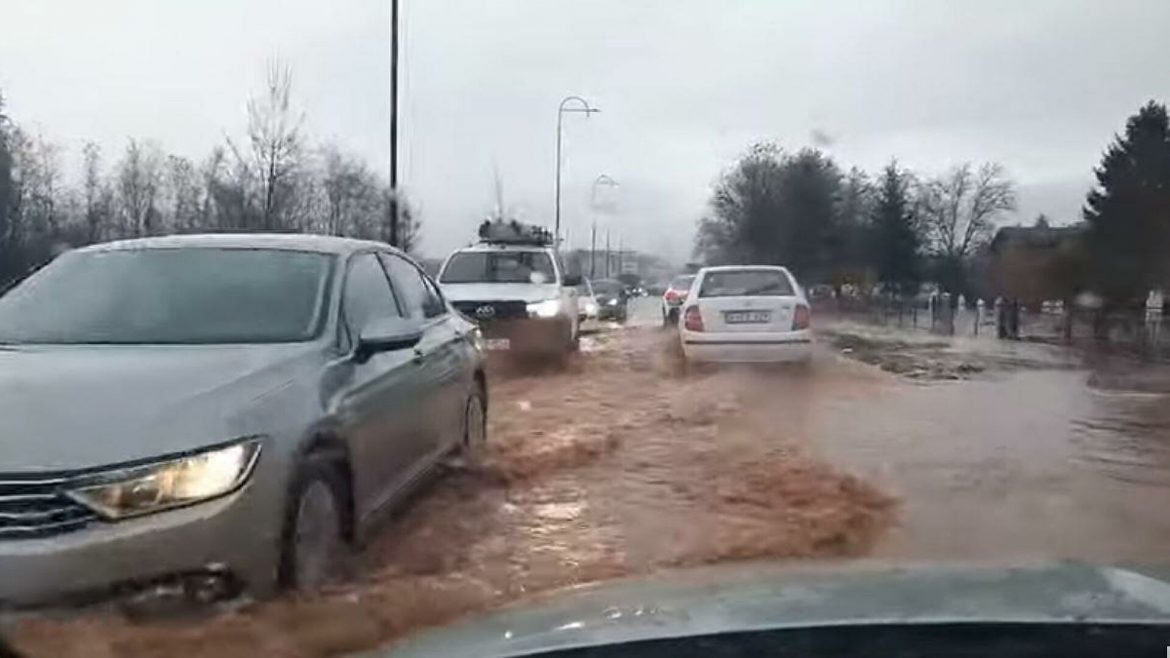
(746, 314)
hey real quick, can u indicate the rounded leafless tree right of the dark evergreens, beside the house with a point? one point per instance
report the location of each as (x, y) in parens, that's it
(961, 207)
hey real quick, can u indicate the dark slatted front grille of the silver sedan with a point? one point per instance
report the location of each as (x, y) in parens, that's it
(37, 508)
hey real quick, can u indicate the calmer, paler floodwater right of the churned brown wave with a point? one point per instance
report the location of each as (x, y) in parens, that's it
(1029, 458)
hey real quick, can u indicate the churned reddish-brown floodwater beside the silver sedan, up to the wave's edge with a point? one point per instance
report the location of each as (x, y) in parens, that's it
(618, 465)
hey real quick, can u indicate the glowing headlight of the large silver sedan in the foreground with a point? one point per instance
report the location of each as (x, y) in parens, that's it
(175, 483)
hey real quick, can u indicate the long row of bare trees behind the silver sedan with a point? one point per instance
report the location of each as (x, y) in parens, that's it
(277, 179)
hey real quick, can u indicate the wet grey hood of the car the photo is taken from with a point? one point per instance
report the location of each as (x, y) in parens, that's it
(758, 598)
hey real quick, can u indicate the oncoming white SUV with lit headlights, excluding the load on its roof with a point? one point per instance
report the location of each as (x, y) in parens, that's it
(520, 293)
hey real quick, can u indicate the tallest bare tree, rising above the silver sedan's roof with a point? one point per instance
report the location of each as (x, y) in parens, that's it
(274, 147)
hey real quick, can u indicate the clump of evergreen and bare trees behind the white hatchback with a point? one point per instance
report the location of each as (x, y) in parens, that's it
(894, 230)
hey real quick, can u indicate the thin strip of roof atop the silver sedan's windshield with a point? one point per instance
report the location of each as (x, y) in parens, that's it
(285, 242)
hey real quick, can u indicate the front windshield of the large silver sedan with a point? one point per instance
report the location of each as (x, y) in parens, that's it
(191, 297)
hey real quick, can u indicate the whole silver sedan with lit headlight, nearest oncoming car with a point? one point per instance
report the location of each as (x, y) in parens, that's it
(221, 409)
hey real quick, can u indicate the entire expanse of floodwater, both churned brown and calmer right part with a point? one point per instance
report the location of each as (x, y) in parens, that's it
(625, 464)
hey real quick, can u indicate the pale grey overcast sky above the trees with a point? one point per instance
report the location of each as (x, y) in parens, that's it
(684, 86)
